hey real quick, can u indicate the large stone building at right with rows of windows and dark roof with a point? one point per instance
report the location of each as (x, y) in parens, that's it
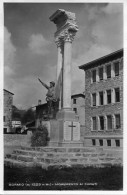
(104, 101)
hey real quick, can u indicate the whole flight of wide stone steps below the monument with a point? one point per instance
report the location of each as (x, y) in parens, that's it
(57, 156)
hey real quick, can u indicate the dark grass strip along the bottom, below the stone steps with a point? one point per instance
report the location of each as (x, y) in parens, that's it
(110, 178)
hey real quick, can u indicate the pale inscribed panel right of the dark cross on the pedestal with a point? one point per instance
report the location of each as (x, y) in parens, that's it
(76, 131)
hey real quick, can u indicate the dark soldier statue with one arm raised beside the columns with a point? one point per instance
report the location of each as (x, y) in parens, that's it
(50, 96)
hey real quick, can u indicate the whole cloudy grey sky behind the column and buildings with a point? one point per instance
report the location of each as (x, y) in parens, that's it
(30, 51)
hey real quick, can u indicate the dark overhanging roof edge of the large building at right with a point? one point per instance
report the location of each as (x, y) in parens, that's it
(103, 59)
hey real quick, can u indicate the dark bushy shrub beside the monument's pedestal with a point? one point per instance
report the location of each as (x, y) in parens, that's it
(40, 137)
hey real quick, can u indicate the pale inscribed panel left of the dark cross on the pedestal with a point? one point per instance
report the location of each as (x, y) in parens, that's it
(67, 131)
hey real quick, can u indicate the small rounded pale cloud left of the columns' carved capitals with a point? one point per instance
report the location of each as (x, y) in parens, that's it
(38, 44)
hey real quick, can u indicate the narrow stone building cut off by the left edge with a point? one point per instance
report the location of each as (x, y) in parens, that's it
(7, 118)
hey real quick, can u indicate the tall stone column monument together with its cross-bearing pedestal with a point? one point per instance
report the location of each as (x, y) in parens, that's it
(65, 128)
